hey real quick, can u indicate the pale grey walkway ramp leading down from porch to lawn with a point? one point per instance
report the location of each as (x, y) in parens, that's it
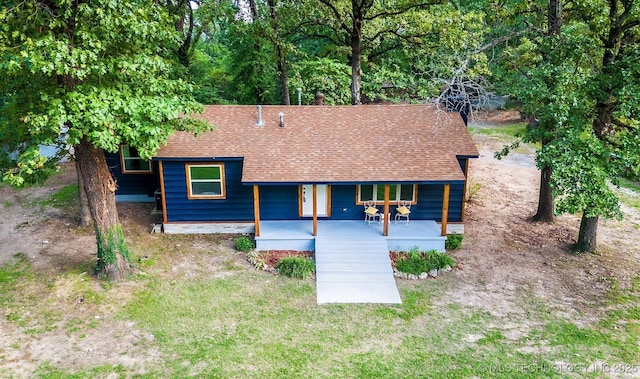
(354, 270)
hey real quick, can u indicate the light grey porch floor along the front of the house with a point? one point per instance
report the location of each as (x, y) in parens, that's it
(299, 234)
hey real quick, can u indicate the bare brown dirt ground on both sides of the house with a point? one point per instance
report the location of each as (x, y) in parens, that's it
(502, 253)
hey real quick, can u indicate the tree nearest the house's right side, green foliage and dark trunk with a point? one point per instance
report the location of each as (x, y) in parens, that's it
(546, 74)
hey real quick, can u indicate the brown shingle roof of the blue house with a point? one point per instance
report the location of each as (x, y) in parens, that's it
(331, 144)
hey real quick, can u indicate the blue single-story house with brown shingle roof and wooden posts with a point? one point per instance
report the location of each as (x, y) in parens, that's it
(305, 163)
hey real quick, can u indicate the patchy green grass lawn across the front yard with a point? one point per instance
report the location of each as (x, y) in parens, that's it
(253, 324)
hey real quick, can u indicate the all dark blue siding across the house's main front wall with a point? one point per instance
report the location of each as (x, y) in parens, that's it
(281, 202)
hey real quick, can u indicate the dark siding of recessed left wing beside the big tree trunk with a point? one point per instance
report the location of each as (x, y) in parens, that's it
(132, 184)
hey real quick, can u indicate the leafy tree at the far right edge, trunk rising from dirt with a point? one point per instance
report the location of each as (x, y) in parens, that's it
(602, 140)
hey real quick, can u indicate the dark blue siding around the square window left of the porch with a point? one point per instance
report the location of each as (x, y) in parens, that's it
(238, 205)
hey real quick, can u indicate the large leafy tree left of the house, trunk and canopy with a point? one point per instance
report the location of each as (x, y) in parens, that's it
(91, 76)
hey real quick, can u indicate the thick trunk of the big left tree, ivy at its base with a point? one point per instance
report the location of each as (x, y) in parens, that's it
(113, 254)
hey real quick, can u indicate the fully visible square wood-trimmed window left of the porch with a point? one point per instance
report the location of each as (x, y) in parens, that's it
(205, 181)
